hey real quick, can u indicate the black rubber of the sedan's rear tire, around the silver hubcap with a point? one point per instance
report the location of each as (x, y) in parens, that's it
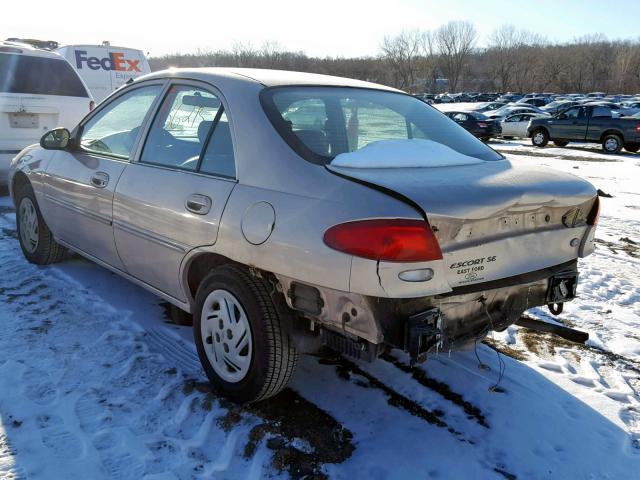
(273, 356)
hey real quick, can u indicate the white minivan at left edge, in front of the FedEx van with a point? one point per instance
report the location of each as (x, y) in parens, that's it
(39, 91)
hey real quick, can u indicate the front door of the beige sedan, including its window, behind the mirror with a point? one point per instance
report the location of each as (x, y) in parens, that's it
(79, 184)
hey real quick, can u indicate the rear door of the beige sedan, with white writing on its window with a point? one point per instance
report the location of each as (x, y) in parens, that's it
(170, 200)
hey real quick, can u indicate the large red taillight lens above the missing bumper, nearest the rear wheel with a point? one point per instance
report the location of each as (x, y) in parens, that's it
(392, 240)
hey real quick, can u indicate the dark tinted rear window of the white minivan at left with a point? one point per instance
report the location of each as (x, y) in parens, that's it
(39, 76)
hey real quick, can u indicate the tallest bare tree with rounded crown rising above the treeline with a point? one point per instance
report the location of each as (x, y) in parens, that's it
(455, 41)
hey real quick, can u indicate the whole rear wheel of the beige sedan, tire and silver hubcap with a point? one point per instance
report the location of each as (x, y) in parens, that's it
(244, 349)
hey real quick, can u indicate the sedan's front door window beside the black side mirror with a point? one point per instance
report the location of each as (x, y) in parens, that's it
(114, 129)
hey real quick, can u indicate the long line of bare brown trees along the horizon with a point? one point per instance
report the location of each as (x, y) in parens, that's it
(449, 59)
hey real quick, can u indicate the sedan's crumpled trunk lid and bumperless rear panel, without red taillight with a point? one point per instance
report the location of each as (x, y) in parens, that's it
(509, 239)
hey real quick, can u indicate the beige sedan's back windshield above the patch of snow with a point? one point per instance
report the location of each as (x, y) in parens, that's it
(322, 122)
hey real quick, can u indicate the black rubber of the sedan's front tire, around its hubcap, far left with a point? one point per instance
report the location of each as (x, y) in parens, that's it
(47, 250)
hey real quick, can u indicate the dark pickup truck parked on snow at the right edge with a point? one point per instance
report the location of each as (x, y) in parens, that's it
(587, 124)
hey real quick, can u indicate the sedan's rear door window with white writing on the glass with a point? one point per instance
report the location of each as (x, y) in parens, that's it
(181, 128)
